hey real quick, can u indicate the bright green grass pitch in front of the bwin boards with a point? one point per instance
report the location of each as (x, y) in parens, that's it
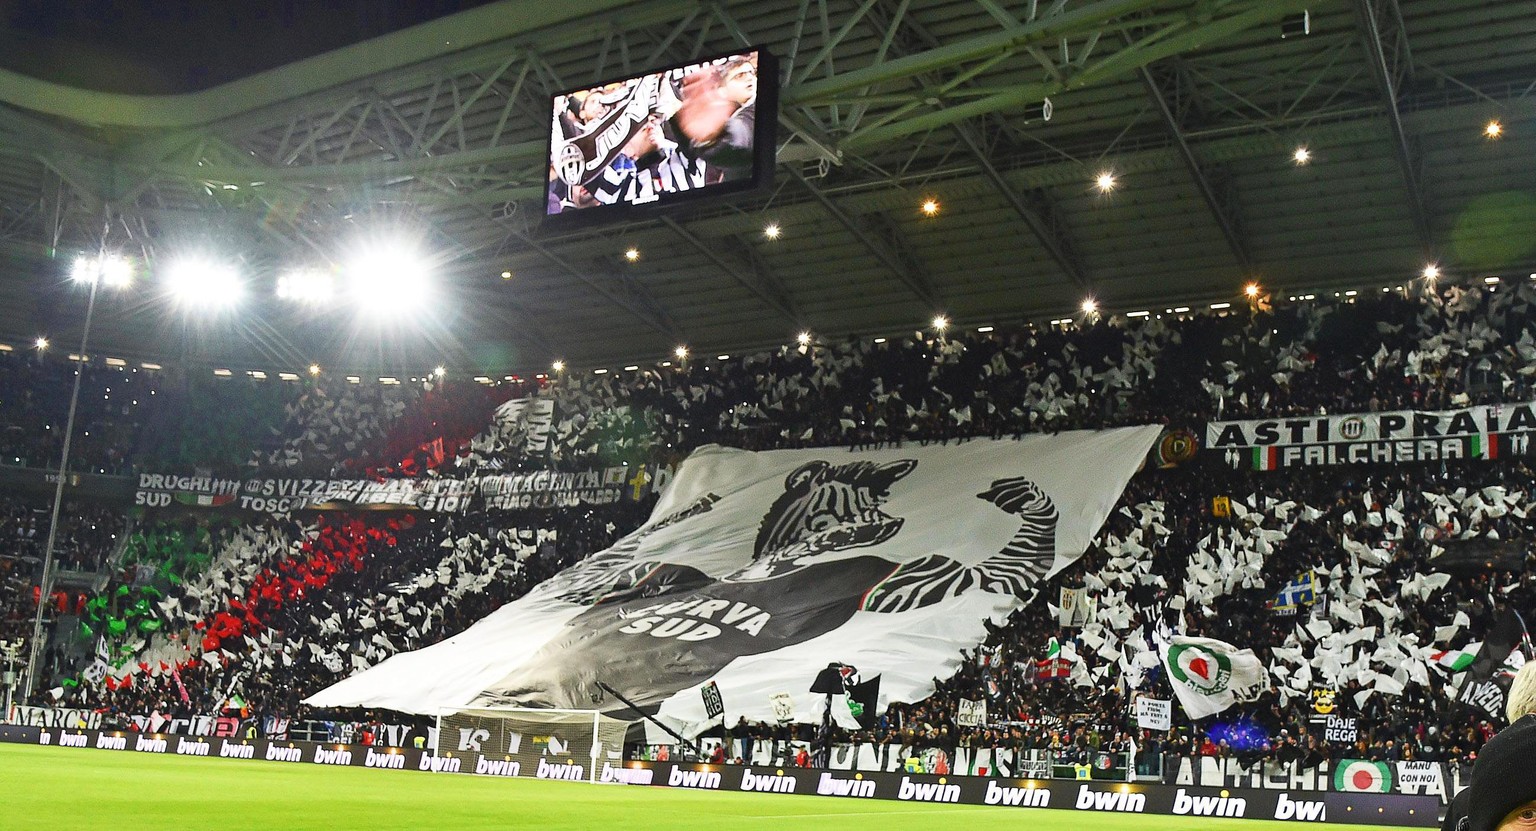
(65, 789)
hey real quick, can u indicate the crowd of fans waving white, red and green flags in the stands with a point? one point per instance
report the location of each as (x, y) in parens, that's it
(297, 603)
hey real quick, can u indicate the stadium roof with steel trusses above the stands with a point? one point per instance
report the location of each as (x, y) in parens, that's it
(1196, 107)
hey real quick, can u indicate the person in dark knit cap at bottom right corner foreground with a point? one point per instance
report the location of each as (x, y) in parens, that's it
(1520, 709)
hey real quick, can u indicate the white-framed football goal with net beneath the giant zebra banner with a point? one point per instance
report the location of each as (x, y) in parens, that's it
(549, 744)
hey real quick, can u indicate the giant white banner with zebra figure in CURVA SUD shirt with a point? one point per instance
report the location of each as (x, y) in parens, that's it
(756, 571)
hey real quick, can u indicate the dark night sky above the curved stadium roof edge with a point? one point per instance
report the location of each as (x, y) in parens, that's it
(159, 47)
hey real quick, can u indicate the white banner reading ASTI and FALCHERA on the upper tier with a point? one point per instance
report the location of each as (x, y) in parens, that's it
(1485, 432)
